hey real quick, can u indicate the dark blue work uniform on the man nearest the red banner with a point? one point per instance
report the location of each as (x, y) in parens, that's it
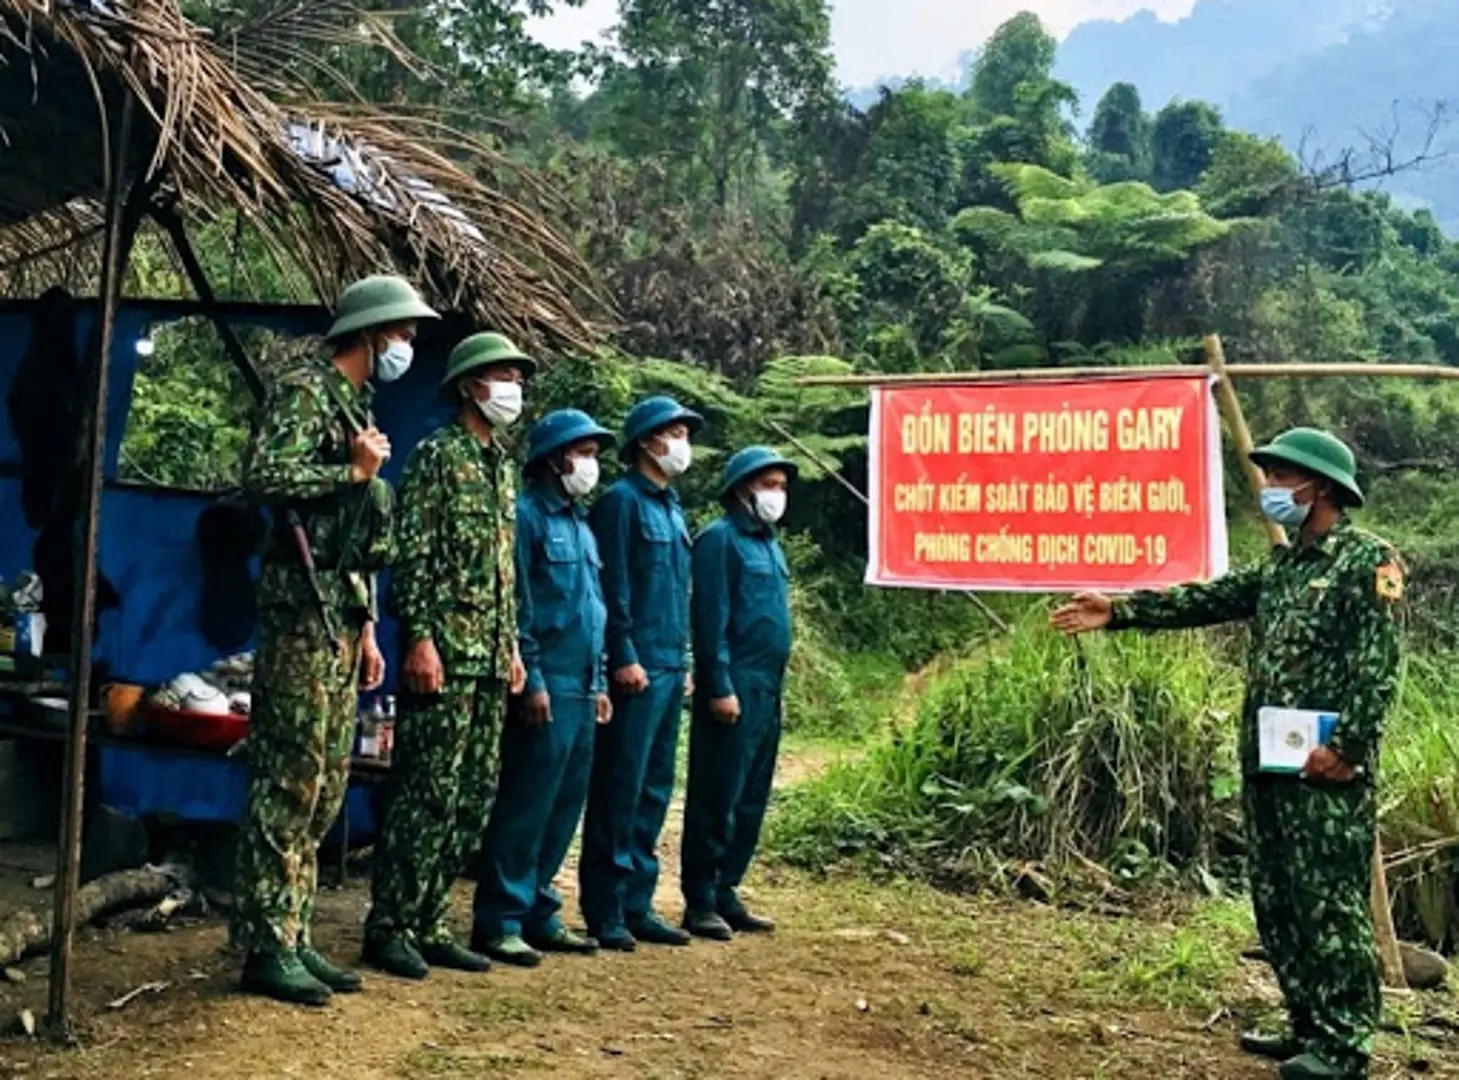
(742, 634)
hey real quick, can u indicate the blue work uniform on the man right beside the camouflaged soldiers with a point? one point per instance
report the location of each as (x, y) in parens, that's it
(545, 770)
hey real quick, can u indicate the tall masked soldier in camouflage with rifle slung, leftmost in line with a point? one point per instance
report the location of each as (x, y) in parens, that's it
(314, 459)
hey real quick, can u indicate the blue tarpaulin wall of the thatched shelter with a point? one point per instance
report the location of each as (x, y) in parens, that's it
(148, 548)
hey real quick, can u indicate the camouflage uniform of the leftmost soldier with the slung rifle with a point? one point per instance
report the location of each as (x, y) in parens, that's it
(304, 694)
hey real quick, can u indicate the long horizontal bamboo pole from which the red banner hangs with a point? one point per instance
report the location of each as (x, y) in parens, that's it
(1346, 370)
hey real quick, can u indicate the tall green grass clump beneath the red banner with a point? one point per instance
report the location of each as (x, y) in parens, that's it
(1041, 751)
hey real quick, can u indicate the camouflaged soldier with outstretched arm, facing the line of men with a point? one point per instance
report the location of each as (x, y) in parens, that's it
(1324, 640)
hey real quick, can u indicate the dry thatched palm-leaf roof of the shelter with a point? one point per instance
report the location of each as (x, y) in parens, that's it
(230, 129)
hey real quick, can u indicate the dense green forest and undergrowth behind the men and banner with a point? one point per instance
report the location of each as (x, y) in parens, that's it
(746, 224)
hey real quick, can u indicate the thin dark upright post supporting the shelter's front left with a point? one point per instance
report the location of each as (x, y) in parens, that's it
(120, 211)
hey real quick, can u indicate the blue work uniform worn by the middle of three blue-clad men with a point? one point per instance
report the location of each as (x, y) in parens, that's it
(646, 547)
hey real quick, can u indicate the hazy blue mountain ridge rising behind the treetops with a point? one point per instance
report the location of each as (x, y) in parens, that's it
(1321, 78)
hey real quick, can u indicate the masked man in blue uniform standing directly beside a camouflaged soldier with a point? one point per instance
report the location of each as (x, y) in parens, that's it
(548, 744)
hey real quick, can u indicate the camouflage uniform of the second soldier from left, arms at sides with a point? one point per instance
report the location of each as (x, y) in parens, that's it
(453, 583)
